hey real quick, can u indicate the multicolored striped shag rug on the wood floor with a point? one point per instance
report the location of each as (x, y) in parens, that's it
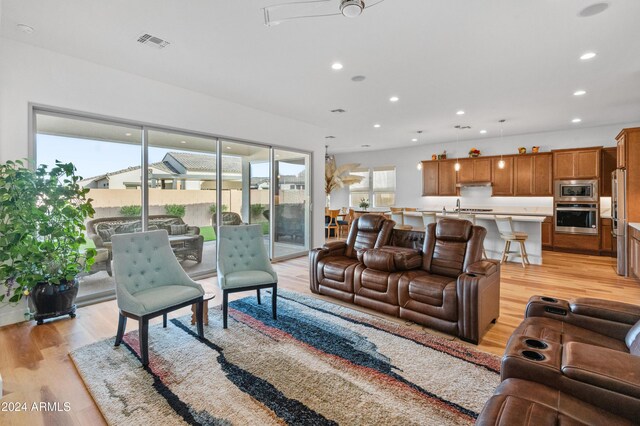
(318, 364)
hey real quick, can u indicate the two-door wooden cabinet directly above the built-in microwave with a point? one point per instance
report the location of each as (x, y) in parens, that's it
(577, 163)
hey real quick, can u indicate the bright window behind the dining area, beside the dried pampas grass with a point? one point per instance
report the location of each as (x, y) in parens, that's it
(378, 185)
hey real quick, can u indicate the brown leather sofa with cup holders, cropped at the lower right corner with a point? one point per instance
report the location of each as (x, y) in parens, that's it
(585, 352)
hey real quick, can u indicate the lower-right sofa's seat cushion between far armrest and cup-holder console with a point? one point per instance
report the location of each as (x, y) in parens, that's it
(551, 330)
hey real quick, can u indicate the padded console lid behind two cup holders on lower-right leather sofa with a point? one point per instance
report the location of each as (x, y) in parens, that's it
(602, 367)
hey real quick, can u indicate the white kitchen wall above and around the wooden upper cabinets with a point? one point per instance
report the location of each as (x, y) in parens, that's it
(409, 179)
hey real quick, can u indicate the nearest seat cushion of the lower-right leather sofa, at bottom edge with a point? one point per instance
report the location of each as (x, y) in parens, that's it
(522, 403)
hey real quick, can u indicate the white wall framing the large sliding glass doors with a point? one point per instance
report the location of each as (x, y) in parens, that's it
(30, 74)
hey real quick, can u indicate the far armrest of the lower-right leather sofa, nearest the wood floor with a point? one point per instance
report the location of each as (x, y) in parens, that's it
(613, 319)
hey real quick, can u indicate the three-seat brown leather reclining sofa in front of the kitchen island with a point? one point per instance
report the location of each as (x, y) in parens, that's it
(446, 285)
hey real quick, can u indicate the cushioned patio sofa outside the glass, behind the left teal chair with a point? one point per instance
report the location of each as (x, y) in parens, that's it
(185, 240)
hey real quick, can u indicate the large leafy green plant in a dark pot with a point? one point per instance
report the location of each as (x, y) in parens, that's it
(42, 227)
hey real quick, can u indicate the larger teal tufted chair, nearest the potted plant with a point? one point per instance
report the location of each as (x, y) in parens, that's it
(150, 282)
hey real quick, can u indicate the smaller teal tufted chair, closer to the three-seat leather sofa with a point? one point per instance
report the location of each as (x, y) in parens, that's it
(243, 265)
